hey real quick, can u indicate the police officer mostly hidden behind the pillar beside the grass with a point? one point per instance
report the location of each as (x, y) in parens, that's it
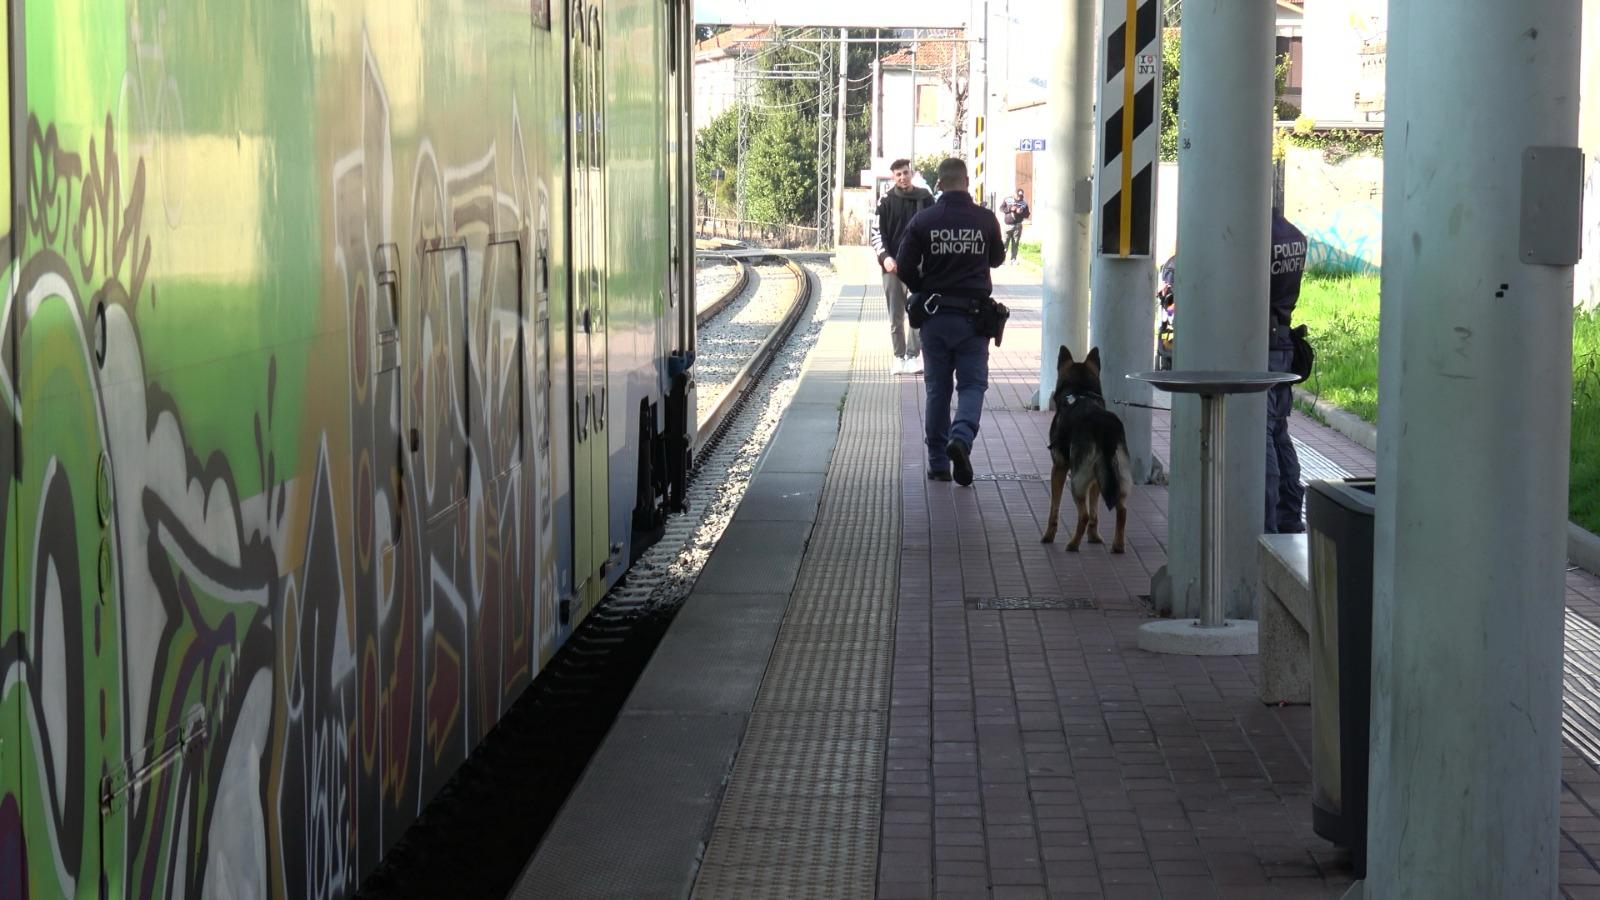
(1286, 496)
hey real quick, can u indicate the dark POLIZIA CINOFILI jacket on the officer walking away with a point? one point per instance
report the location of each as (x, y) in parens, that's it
(951, 247)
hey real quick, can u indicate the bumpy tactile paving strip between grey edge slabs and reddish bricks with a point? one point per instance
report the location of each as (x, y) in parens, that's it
(802, 810)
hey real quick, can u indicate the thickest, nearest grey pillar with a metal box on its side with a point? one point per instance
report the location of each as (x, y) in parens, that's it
(1473, 451)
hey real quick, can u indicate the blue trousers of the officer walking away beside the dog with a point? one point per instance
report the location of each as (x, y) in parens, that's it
(953, 356)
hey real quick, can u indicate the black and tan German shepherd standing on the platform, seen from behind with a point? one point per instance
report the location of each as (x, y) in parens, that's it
(1087, 441)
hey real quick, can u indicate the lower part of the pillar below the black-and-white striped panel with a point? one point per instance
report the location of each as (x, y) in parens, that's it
(1122, 324)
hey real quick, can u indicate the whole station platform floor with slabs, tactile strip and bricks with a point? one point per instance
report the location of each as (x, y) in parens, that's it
(887, 686)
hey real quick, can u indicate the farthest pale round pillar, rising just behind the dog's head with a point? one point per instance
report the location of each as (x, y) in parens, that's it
(1065, 195)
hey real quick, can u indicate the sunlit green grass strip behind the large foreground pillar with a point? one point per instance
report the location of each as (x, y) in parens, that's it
(1342, 313)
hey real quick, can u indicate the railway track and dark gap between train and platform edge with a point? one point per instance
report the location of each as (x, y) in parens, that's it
(478, 835)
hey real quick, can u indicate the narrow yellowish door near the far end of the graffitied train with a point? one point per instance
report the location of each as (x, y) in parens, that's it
(588, 307)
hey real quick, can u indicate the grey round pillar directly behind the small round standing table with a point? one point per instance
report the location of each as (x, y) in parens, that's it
(1225, 236)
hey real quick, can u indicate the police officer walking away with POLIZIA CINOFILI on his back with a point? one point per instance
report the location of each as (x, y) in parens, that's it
(945, 260)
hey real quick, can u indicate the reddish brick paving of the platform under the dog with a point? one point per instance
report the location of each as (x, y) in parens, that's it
(1039, 753)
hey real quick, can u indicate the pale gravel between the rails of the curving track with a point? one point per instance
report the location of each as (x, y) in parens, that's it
(732, 339)
